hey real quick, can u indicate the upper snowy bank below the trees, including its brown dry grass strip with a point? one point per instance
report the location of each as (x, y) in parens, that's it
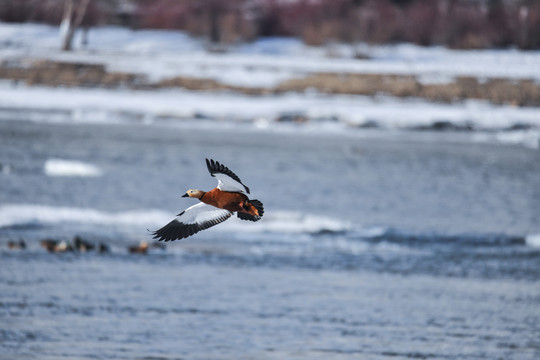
(119, 57)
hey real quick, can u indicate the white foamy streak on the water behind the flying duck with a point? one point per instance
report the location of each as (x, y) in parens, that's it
(276, 227)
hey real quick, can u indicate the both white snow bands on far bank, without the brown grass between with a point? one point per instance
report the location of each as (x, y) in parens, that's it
(266, 62)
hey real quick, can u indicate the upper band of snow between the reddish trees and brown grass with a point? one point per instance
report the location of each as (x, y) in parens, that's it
(169, 53)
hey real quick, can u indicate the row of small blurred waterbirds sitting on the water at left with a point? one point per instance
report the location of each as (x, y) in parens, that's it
(82, 246)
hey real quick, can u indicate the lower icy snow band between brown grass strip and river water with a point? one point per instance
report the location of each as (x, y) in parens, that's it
(314, 113)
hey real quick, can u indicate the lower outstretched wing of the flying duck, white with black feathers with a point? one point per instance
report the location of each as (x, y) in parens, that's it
(192, 220)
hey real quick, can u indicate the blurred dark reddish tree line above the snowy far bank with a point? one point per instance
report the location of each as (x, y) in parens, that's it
(453, 23)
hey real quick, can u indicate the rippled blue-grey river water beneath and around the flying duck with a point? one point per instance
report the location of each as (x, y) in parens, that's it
(374, 244)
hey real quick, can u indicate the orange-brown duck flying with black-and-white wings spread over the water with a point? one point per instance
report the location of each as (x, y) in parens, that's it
(216, 206)
